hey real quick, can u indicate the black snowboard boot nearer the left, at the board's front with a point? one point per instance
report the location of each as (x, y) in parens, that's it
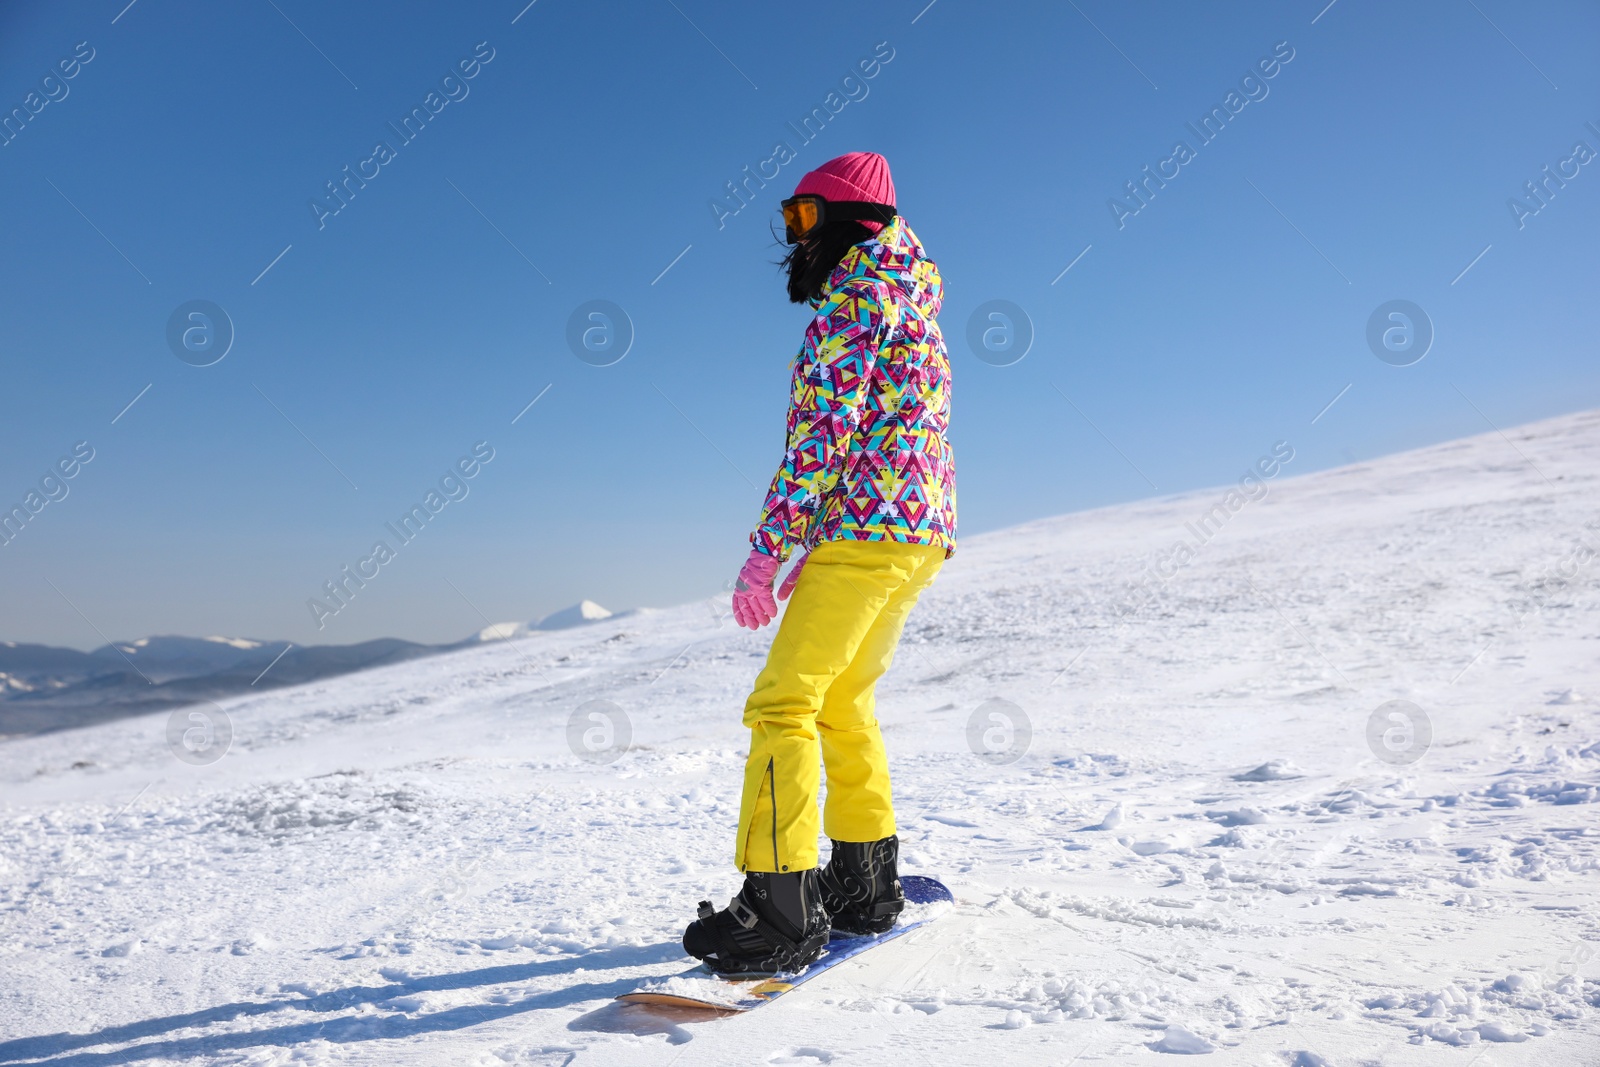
(777, 924)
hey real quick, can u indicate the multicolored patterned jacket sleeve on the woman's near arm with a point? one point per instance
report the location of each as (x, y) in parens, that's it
(831, 382)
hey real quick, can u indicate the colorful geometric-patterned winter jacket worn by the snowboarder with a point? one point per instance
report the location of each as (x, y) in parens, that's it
(870, 407)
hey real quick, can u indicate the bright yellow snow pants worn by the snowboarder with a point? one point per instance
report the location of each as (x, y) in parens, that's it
(833, 645)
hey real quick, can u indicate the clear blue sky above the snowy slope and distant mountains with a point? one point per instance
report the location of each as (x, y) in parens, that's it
(583, 159)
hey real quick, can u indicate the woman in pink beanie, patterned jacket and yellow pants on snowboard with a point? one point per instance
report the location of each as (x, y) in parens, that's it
(868, 487)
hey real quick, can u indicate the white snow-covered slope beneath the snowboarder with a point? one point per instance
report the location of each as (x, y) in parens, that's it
(1199, 853)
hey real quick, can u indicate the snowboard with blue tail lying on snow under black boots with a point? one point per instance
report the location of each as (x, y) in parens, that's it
(700, 988)
